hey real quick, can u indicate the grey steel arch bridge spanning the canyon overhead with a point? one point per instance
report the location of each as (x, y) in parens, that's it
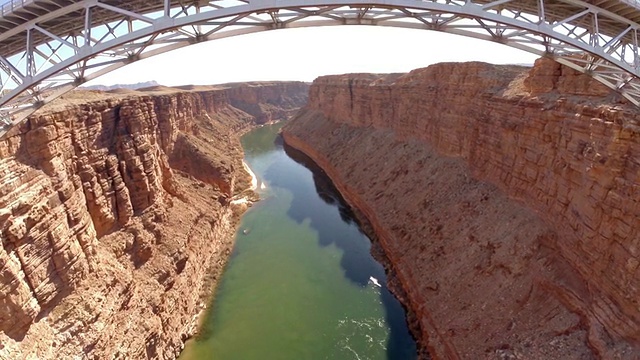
(48, 47)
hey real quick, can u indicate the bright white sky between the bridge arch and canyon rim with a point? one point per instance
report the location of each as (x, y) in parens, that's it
(304, 54)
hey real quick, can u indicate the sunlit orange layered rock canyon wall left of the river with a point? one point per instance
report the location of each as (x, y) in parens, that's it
(116, 216)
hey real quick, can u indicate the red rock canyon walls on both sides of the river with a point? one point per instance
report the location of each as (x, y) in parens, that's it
(503, 201)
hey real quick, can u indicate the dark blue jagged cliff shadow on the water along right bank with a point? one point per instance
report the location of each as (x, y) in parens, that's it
(358, 265)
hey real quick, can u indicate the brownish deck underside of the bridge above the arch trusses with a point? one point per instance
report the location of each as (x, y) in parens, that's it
(73, 22)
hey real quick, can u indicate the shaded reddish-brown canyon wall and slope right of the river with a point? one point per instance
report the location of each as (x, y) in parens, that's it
(506, 199)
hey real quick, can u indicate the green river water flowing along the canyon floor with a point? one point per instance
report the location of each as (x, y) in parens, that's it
(300, 283)
